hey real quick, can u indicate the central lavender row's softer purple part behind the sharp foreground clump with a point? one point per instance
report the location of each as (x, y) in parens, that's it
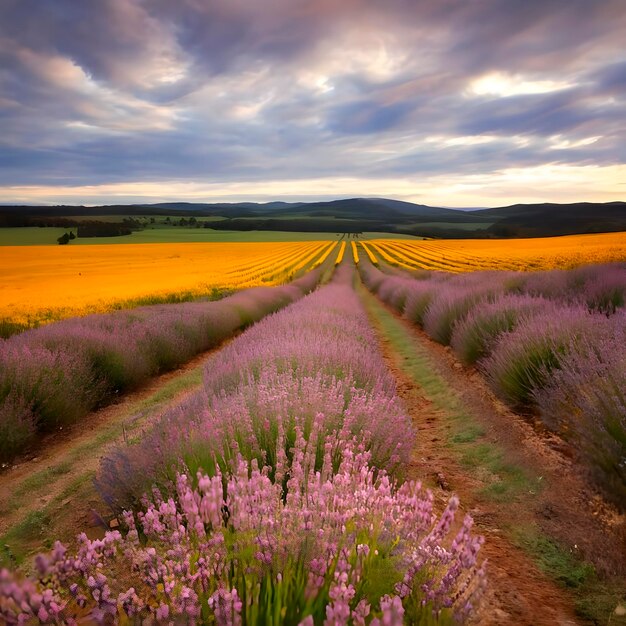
(310, 367)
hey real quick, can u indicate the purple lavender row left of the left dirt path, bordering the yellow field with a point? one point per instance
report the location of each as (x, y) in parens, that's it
(54, 375)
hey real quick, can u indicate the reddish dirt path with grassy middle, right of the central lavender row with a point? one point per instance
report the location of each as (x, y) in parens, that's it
(521, 490)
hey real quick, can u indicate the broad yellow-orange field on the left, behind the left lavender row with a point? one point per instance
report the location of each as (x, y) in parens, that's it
(46, 282)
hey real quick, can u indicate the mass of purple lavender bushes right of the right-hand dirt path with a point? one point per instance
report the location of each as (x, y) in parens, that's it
(548, 342)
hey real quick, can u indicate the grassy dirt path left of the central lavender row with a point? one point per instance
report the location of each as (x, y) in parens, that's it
(50, 495)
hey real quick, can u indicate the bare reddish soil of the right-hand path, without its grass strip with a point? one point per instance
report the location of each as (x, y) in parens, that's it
(565, 508)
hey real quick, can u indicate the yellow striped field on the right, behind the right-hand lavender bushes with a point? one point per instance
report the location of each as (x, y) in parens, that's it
(466, 255)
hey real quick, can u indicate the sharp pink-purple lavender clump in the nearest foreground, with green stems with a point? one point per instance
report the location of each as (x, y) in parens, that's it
(341, 546)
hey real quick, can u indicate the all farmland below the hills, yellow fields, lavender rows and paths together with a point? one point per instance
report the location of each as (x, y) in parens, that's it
(372, 432)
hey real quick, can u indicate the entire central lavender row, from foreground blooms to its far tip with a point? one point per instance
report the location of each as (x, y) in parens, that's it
(275, 497)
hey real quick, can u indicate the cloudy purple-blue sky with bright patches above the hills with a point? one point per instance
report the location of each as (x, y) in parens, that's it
(466, 103)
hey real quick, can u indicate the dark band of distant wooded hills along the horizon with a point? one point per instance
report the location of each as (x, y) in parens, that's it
(355, 215)
